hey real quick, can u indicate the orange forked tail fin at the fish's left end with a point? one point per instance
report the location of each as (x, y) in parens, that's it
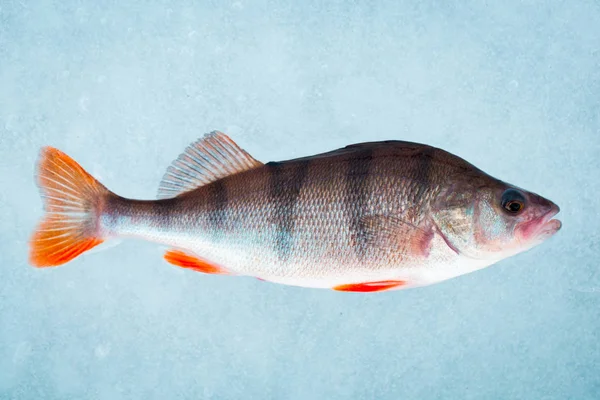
(73, 202)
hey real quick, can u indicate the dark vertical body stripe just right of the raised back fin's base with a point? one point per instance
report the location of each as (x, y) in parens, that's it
(285, 185)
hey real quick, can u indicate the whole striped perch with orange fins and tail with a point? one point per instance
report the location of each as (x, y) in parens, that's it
(369, 217)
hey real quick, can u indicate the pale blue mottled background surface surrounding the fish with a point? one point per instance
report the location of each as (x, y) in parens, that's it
(123, 87)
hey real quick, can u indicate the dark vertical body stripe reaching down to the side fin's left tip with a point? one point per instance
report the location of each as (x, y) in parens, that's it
(357, 196)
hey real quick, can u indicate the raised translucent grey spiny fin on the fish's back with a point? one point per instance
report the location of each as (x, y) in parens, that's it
(208, 159)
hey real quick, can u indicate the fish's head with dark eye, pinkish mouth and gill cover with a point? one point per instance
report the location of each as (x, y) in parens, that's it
(487, 219)
